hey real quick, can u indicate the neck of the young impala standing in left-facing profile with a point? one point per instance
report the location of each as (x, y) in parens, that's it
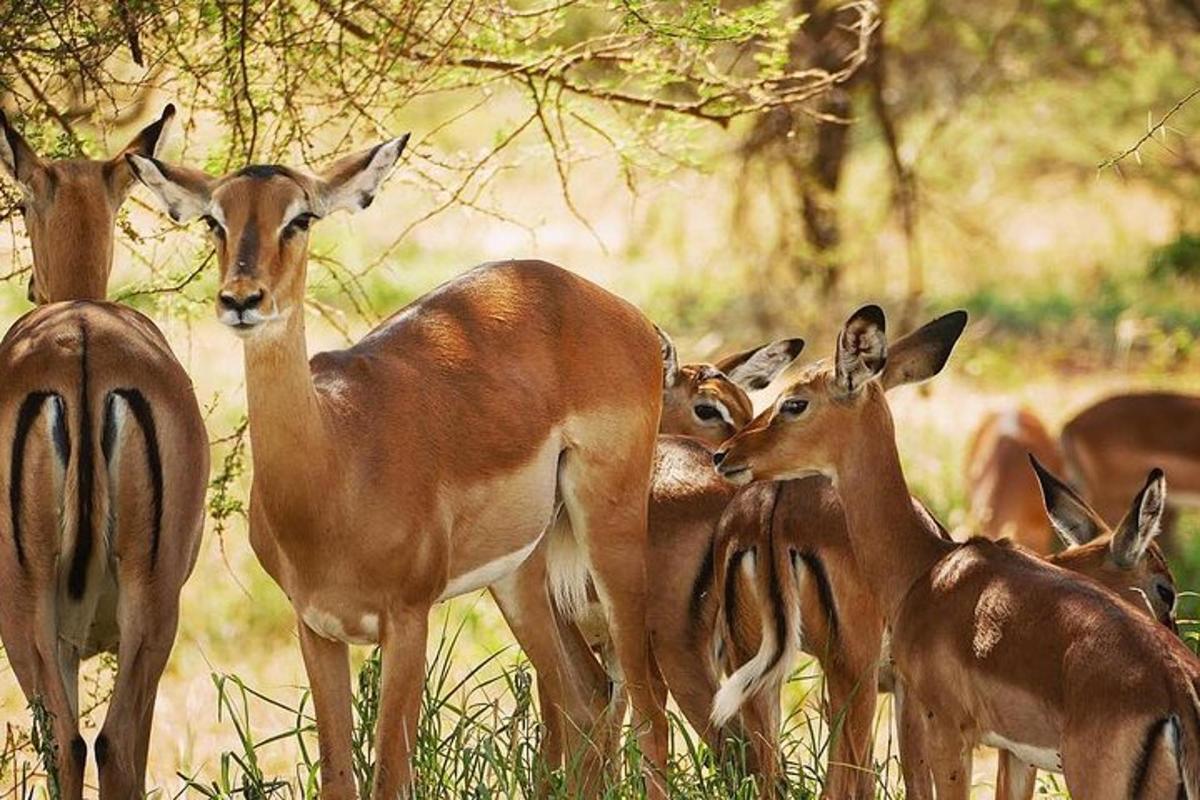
(892, 544)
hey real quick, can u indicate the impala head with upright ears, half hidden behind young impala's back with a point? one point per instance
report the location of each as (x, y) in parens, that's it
(1127, 560)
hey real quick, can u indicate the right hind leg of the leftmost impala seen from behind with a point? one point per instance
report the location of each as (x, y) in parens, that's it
(148, 627)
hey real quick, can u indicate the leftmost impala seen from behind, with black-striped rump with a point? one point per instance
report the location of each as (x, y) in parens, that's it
(105, 480)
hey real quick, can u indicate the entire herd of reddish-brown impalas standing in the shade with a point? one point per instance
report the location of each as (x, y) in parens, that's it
(524, 431)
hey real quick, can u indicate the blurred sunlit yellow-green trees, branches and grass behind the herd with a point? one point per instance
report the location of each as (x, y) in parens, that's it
(741, 171)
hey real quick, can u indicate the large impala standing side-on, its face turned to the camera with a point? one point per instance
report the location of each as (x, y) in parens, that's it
(430, 459)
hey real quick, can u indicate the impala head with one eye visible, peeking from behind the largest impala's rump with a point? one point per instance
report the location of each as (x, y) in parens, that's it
(710, 402)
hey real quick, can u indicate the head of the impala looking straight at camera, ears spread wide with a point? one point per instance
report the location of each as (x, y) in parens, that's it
(259, 219)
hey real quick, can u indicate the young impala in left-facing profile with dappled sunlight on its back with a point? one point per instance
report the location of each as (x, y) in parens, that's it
(993, 645)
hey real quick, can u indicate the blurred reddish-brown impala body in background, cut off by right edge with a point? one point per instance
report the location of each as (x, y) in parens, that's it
(1111, 446)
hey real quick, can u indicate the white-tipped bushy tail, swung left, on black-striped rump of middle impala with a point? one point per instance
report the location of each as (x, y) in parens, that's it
(773, 604)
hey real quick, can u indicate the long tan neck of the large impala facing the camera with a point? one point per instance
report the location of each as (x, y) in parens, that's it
(287, 435)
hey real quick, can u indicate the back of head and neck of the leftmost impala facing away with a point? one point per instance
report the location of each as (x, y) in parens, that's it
(70, 209)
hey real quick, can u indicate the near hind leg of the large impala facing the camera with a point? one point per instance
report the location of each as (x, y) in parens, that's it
(607, 494)
